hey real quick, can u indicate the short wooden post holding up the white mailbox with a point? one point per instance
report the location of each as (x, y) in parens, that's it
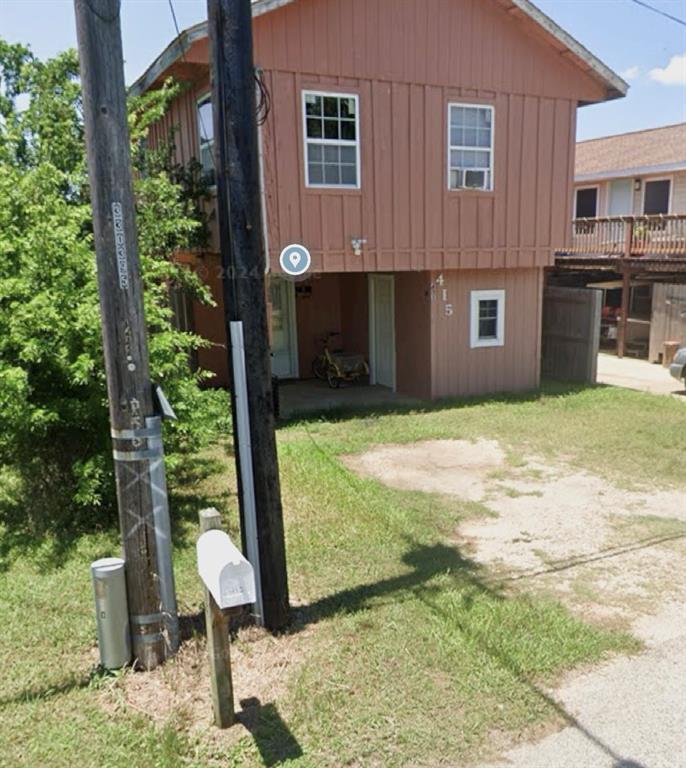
(218, 643)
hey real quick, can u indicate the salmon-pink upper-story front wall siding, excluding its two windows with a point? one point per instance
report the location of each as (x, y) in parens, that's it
(407, 60)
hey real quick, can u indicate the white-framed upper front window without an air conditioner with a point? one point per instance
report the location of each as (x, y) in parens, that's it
(332, 147)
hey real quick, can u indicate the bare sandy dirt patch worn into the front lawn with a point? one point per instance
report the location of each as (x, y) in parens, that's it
(614, 554)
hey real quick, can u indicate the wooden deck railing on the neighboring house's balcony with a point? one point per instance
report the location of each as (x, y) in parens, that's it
(662, 236)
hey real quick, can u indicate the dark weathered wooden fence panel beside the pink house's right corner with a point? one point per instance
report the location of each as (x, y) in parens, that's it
(571, 334)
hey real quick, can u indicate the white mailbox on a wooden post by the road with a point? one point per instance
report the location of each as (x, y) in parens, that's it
(228, 576)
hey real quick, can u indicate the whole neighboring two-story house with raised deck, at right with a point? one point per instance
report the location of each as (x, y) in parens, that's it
(641, 175)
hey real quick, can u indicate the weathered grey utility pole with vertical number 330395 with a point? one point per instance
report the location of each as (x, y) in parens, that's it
(135, 428)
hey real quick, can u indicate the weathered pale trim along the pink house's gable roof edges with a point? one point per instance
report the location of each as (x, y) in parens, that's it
(615, 87)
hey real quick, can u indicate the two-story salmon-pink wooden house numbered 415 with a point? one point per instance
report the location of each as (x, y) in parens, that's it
(423, 151)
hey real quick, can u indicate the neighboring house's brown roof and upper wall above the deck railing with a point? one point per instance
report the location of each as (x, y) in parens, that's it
(643, 172)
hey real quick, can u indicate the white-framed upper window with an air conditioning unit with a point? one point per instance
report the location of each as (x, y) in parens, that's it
(470, 147)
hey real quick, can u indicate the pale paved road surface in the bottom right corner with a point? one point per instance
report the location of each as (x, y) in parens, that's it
(628, 713)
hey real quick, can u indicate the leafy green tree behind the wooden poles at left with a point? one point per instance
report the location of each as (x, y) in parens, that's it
(55, 450)
